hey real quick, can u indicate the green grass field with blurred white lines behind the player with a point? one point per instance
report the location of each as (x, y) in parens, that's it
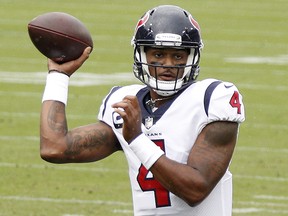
(246, 43)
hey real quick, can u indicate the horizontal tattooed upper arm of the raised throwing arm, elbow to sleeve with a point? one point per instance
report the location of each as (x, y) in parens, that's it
(83, 144)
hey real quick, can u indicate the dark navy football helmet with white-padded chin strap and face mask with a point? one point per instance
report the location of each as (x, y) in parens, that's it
(167, 26)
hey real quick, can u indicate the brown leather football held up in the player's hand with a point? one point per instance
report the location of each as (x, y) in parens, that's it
(59, 36)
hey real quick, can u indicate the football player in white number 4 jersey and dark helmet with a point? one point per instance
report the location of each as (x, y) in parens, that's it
(178, 134)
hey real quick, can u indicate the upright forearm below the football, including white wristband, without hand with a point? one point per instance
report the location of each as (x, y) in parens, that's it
(53, 123)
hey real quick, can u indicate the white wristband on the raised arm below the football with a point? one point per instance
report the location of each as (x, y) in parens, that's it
(56, 87)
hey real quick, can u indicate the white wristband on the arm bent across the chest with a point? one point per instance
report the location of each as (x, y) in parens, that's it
(146, 150)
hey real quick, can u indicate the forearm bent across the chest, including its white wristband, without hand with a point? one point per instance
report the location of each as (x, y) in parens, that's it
(183, 180)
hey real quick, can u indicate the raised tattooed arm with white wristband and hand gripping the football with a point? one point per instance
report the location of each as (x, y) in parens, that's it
(58, 144)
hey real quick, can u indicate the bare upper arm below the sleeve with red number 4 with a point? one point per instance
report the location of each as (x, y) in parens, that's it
(213, 149)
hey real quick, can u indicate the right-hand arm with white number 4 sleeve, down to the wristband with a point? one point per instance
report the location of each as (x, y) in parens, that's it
(212, 151)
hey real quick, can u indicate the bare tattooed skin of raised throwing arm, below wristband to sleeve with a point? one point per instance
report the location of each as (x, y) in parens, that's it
(83, 144)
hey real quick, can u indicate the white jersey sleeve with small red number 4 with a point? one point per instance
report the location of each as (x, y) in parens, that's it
(225, 103)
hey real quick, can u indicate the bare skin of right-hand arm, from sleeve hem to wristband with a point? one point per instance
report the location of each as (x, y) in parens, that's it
(207, 163)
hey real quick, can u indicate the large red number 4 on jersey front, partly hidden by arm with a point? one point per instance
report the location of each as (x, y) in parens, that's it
(148, 183)
